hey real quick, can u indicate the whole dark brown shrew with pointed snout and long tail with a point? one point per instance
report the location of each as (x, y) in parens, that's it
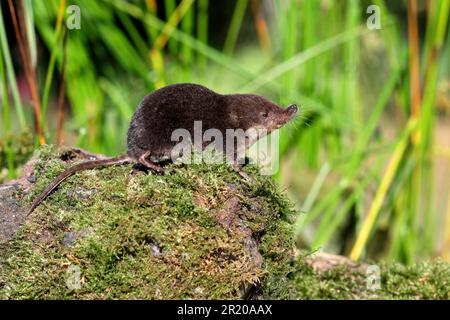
(178, 106)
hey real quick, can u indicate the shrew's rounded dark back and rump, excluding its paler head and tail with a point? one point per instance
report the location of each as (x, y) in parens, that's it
(170, 108)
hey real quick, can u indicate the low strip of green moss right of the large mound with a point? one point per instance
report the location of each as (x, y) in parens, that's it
(427, 280)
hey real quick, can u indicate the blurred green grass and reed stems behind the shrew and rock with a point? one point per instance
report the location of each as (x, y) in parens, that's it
(367, 161)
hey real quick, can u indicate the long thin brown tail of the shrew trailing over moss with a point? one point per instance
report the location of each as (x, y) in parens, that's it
(122, 159)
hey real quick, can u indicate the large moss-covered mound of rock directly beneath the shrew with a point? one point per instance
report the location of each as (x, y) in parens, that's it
(196, 232)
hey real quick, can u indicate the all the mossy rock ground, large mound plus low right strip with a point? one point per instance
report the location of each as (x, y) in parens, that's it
(197, 232)
